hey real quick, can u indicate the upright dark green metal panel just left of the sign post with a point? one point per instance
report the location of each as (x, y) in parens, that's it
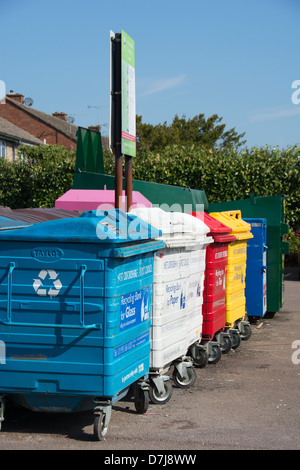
(89, 153)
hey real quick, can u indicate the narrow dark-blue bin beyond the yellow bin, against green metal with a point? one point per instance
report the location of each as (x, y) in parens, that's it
(256, 270)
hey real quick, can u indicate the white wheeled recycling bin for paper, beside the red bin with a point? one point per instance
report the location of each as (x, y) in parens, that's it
(178, 282)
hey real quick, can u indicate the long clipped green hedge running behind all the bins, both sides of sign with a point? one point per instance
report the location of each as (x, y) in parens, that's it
(44, 173)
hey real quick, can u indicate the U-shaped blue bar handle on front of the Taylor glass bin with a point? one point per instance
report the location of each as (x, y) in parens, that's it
(9, 321)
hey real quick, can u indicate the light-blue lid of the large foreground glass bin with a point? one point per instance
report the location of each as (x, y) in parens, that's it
(111, 226)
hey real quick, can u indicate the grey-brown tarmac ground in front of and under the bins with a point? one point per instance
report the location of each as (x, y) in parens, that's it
(249, 400)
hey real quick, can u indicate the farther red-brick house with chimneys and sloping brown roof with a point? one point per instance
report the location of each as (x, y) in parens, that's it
(49, 129)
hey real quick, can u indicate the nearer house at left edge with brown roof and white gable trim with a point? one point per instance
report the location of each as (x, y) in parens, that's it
(11, 137)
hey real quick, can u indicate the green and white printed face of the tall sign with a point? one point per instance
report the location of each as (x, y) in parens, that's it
(128, 96)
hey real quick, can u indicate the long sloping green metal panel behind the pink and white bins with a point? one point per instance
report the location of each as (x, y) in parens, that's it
(170, 198)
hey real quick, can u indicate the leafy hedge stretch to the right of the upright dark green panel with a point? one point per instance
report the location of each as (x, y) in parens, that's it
(224, 175)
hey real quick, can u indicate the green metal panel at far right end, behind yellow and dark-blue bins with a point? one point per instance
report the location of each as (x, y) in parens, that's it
(272, 209)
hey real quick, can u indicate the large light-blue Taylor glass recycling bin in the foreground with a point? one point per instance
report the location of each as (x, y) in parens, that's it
(75, 302)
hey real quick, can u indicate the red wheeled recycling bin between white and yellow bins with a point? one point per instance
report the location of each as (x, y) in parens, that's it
(214, 338)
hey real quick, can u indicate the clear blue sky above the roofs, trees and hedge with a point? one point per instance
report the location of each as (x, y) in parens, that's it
(234, 58)
